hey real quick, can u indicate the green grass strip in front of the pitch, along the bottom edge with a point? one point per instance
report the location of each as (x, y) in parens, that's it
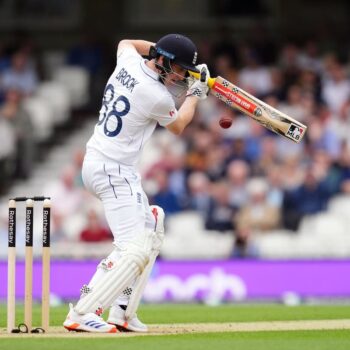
(301, 340)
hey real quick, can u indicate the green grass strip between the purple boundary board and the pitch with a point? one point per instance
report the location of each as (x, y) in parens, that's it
(200, 313)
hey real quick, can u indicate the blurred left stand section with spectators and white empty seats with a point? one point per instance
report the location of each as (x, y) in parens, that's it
(40, 91)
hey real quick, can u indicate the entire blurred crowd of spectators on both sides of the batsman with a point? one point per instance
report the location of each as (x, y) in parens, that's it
(242, 180)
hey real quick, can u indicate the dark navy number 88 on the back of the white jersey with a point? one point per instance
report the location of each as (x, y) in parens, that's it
(112, 127)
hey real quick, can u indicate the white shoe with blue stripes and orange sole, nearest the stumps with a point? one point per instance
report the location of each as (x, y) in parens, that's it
(87, 323)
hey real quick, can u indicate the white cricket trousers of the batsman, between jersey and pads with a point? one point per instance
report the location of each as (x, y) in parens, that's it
(125, 204)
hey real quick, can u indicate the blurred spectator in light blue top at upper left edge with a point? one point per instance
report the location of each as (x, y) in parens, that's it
(21, 75)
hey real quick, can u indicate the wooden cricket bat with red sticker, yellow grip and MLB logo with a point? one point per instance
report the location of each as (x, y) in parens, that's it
(269, 117)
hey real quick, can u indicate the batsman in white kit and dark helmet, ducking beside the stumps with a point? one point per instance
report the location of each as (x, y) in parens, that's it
(138, 95)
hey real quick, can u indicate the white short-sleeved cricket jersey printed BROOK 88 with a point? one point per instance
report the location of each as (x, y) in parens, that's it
(134, 101)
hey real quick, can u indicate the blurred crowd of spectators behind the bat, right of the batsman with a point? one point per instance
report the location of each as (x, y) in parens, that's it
(247, 179)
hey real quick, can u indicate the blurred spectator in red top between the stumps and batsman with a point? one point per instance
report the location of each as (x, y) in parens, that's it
(94, 230)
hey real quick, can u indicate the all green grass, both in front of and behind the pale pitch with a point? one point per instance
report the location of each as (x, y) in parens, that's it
(279, 340)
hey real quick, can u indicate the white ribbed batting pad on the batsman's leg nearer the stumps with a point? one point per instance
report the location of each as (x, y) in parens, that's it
(131, 264)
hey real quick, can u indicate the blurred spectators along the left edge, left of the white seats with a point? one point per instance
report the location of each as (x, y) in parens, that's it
(18, 79)
